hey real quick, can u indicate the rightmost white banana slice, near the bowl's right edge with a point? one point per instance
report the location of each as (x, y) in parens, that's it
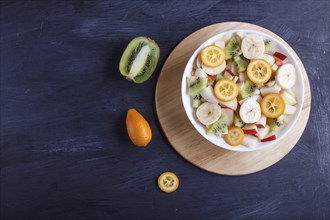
(286, 76)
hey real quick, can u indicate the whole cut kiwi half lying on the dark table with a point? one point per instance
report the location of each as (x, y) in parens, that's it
(139, 59)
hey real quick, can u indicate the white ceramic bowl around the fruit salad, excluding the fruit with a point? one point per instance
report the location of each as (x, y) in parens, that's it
(298, 89)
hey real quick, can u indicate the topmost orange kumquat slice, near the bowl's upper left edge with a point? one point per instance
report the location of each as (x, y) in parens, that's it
(213, 56)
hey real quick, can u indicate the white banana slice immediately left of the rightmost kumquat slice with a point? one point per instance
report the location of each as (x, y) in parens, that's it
(250, 111)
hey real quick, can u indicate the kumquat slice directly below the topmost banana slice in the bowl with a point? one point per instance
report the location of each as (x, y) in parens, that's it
(259, 71)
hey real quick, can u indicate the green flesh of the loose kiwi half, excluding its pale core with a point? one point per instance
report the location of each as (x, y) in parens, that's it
(131, 52)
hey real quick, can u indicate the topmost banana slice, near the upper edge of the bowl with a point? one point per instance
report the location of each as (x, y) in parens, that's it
(253, 46)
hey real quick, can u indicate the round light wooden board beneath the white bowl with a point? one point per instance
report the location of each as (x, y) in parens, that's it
(183, 136)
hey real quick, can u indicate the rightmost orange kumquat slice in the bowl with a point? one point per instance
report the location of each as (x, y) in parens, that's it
(272, 105)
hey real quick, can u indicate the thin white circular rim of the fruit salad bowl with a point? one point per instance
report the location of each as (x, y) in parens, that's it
(220, 142)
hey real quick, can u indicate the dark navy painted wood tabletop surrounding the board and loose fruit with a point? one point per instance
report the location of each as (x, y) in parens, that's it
(65, 153)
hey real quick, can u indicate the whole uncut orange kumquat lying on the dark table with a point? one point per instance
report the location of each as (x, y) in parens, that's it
(138, 128)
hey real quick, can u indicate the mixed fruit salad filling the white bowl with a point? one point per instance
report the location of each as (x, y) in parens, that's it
(241, 89)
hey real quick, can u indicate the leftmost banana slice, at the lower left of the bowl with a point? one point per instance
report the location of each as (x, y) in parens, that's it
(208, 113)
